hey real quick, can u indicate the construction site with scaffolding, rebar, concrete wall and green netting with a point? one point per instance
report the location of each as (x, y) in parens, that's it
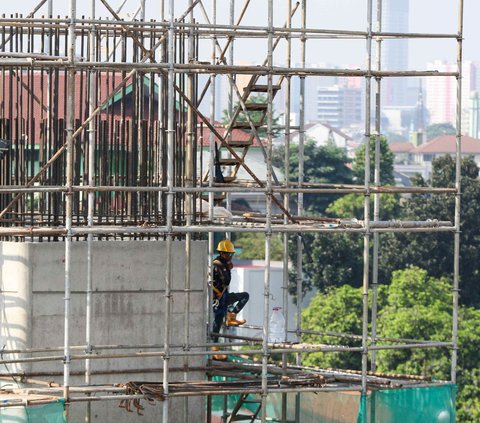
(116, 184)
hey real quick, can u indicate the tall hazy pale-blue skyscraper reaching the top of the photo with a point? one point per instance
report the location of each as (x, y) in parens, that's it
(395, 51)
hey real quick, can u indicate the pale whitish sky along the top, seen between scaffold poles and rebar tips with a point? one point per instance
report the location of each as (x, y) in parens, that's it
(439, 16)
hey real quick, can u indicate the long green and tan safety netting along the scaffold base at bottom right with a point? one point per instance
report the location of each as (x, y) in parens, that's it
(435, 404)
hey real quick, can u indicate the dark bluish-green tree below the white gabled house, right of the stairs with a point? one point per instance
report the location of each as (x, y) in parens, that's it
(322, 164)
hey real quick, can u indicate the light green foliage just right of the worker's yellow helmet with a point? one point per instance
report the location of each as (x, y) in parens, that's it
(253, 246)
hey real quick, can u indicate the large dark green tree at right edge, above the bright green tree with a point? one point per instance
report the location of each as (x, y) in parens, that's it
(435, 251)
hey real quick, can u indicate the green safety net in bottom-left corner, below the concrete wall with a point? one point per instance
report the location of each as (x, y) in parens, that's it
(49, 413)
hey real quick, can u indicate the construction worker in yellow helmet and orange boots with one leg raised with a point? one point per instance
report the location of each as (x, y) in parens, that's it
(225, 303)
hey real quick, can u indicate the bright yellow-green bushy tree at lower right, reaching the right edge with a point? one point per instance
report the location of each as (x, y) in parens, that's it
(419, 307)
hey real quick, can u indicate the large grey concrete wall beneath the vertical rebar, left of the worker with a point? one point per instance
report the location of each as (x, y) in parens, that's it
(128, 309)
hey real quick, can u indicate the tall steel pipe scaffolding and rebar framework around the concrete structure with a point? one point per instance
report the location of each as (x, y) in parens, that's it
(164, 184)
